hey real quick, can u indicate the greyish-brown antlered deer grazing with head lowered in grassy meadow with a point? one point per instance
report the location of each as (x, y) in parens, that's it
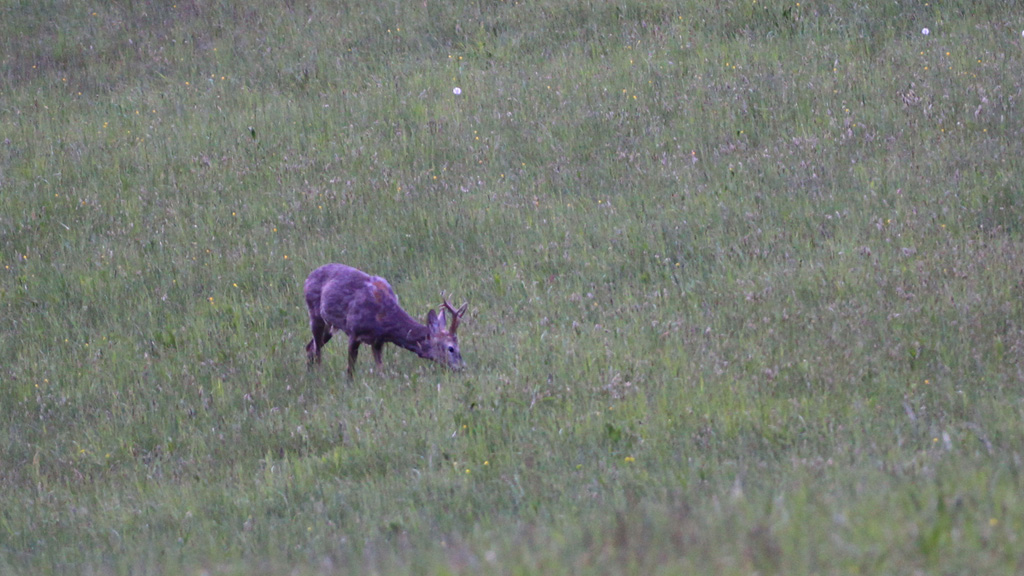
(365, 308)
